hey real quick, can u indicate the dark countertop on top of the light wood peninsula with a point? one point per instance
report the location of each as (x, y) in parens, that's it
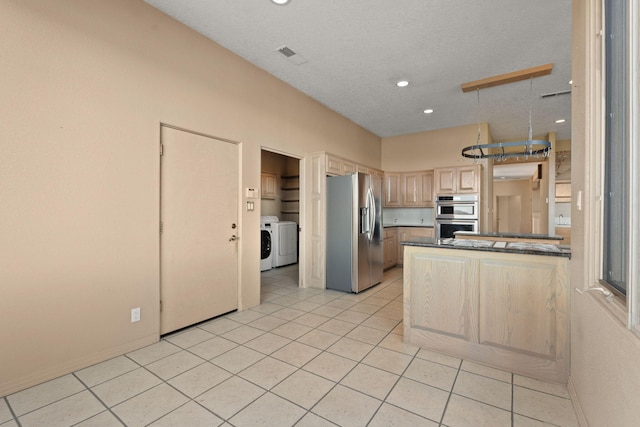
(491, 246)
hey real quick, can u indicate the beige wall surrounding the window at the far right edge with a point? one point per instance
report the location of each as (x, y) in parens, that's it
(605, 373)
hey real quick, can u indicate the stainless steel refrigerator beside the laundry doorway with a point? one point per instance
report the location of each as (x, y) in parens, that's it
(354, 232)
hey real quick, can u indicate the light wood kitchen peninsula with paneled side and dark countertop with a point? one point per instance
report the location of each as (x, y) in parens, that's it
(504, 304)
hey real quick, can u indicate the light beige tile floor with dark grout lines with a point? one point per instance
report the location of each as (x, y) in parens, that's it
(304, 357)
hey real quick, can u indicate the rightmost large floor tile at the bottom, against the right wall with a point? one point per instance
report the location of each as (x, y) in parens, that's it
(544, 407)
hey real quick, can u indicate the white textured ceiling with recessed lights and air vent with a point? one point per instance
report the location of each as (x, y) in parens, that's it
(355, 51)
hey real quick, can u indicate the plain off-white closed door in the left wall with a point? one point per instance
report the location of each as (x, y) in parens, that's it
(199, 213)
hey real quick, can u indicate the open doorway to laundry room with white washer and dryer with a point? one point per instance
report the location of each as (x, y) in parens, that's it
(280, 194)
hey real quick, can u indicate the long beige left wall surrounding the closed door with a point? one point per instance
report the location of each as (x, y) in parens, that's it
(85, 85)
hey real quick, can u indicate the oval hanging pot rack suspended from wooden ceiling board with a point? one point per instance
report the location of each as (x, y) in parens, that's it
(529, 148)
